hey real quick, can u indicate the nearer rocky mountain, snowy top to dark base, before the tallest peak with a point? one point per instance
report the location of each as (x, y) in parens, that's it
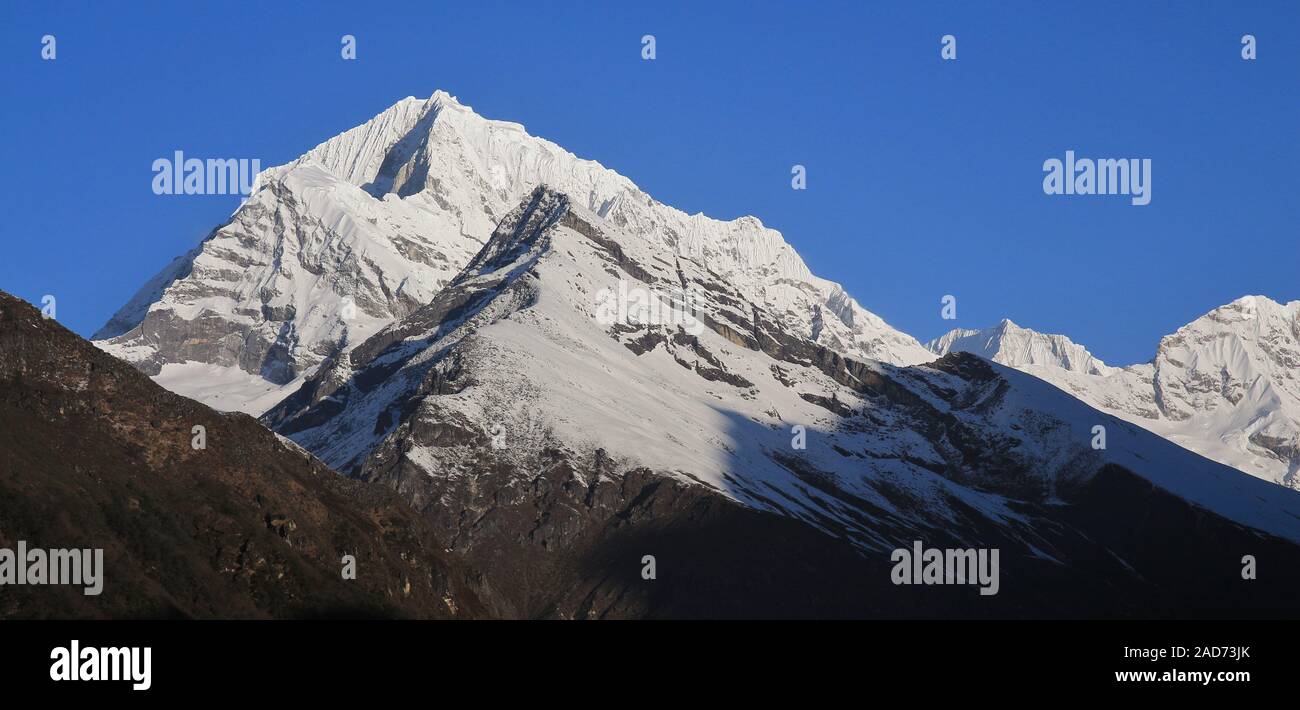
(554, 451)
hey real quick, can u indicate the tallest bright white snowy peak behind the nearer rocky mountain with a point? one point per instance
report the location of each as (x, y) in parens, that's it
(370, 226)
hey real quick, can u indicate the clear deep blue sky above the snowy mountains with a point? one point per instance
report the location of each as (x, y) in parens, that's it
(925, 177)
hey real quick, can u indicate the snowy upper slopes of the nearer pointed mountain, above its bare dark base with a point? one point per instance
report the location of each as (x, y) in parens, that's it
(513, 362)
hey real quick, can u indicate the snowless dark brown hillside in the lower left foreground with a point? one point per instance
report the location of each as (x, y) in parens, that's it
(93, 454)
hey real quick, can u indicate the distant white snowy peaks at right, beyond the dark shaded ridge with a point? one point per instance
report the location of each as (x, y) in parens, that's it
(1227, 386)
